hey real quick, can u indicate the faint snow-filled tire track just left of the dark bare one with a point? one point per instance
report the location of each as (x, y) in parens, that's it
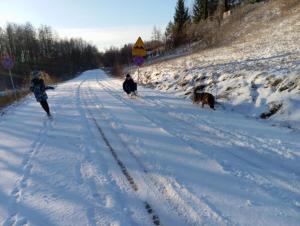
(88, 174)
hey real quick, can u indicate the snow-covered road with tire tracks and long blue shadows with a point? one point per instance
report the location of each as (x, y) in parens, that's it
(106, 159)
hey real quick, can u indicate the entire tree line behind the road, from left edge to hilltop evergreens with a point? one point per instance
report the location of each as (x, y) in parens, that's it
(42, 49)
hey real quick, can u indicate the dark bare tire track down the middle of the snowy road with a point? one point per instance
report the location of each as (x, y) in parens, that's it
(149, 209)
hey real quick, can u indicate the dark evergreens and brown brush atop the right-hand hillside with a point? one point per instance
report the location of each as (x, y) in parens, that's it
(187, 23)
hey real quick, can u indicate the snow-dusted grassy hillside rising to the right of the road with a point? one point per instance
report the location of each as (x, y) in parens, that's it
(257, 75)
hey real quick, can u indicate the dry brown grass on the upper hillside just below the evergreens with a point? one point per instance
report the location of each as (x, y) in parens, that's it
(244, 20)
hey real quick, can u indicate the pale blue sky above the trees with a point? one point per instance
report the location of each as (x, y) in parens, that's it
(103, 22)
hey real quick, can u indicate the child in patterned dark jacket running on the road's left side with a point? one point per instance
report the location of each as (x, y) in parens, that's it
(39, 89)
